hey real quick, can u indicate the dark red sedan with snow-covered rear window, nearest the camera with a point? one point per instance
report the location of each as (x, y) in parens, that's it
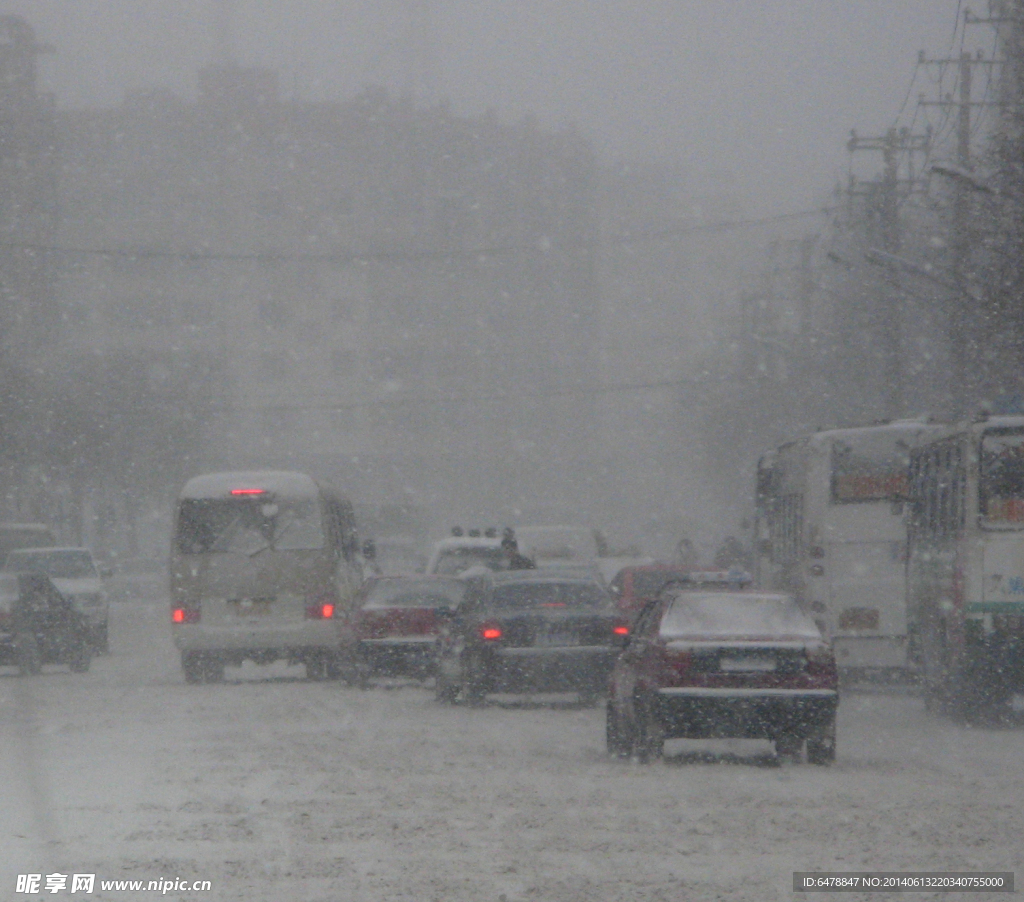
(724, 664)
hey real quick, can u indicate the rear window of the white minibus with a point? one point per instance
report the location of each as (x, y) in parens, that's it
(248, 526)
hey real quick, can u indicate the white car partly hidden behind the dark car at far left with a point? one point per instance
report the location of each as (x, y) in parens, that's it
(75, 574)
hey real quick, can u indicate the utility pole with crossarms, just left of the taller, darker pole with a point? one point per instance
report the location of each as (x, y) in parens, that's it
(889, 329)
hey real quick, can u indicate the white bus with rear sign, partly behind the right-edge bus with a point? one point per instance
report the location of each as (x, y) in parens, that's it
(830, 530)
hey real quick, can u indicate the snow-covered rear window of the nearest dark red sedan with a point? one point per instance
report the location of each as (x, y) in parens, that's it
(736, 617)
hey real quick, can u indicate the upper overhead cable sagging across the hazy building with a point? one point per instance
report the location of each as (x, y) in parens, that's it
(412, 256)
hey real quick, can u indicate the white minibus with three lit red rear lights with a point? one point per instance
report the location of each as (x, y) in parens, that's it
(265, 567)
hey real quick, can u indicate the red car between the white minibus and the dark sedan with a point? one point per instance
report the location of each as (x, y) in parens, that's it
(398, 622)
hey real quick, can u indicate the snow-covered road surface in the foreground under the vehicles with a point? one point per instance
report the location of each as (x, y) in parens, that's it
(281, 790)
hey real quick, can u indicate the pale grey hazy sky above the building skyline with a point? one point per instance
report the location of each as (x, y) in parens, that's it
(754, 96)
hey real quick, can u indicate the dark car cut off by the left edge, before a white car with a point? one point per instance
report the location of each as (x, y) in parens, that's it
(39, 626)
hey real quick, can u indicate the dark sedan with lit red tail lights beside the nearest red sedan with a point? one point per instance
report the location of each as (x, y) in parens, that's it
(529, 631)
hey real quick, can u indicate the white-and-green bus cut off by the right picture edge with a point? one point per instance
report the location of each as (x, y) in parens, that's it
(966, 565)
